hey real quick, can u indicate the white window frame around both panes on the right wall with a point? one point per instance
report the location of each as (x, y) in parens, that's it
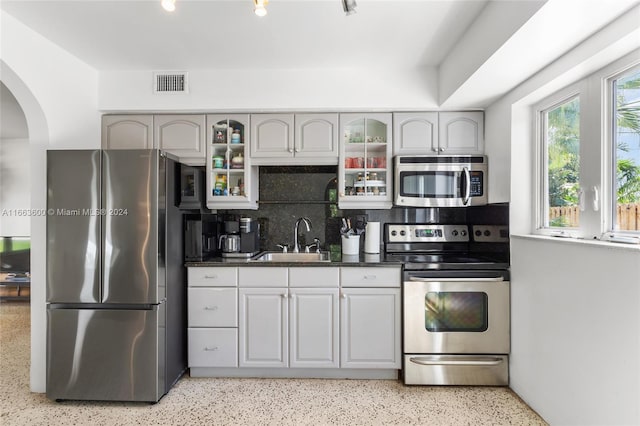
(598, 195)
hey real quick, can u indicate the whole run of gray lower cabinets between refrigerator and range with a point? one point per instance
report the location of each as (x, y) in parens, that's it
(306, 319)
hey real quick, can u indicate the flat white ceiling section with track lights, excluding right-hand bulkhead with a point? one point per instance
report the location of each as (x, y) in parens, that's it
(137, 35)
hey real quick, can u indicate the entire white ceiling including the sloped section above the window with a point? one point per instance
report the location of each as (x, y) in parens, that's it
(482, 48)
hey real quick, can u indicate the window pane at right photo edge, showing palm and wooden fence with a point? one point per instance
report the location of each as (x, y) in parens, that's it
(625, 124)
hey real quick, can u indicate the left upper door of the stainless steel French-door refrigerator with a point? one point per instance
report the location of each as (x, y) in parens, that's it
(73, 226)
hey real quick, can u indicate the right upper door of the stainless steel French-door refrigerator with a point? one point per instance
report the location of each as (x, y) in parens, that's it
(130, 226)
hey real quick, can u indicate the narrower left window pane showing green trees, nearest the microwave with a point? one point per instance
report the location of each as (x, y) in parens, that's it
(561, 165)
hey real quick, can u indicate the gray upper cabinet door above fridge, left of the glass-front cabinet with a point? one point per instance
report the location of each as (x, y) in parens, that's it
(182, 136)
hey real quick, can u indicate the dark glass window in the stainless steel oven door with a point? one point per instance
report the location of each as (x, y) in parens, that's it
(456, 311)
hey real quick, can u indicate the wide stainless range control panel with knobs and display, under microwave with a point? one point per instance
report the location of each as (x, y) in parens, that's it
(416, 233)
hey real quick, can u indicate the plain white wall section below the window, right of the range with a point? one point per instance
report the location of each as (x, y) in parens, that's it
(575, 331)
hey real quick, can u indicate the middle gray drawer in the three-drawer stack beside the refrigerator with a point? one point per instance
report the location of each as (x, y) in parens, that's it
(213, 307)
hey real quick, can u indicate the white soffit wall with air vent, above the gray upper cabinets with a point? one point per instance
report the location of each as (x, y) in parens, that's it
(275, 89)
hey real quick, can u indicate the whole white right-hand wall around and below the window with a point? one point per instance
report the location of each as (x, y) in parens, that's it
(575, 305)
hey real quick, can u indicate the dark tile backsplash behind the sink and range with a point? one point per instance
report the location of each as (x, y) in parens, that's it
(291, 192)
